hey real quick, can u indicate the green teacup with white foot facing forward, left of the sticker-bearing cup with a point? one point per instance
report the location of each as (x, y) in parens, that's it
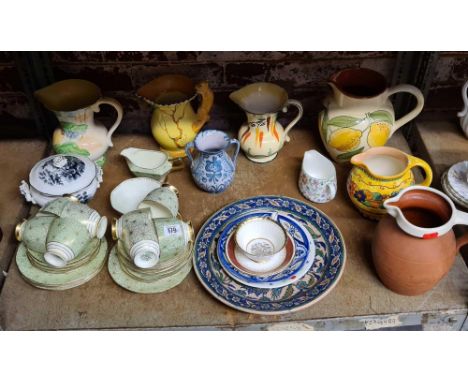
(138, 236)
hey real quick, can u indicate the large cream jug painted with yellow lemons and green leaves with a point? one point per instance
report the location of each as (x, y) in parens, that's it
(358, 113)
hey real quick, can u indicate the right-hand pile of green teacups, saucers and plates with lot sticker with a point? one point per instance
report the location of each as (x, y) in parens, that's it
(153, 251)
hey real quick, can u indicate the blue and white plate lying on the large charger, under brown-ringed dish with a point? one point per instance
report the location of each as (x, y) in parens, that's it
(300, 264)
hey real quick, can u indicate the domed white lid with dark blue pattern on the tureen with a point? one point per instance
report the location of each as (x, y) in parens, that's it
(62, 174)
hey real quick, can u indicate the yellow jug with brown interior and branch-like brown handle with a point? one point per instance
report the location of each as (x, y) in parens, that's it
(174, 122)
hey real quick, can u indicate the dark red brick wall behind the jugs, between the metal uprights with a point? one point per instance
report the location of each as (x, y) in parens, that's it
(303, 74)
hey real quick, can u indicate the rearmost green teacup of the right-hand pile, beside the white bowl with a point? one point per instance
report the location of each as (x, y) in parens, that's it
(163, 202)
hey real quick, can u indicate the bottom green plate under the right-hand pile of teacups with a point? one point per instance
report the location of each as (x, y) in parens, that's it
(125, 281)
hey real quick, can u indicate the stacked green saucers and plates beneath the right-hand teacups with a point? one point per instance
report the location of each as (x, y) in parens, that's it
(166, 274)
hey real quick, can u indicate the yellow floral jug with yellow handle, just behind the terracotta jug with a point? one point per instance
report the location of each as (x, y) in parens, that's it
(381, 173)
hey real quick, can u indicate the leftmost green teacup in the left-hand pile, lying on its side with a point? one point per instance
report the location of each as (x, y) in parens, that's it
(33, 232)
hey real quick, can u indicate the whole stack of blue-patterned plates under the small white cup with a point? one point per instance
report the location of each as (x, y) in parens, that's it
(311, 266)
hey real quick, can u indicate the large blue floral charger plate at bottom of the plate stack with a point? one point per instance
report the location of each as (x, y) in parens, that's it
(324, 274)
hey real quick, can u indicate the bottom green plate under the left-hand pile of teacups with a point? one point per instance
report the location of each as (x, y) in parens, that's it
(60, 281)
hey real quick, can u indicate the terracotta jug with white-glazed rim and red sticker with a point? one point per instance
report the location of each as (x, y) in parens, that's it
(411, 265)
